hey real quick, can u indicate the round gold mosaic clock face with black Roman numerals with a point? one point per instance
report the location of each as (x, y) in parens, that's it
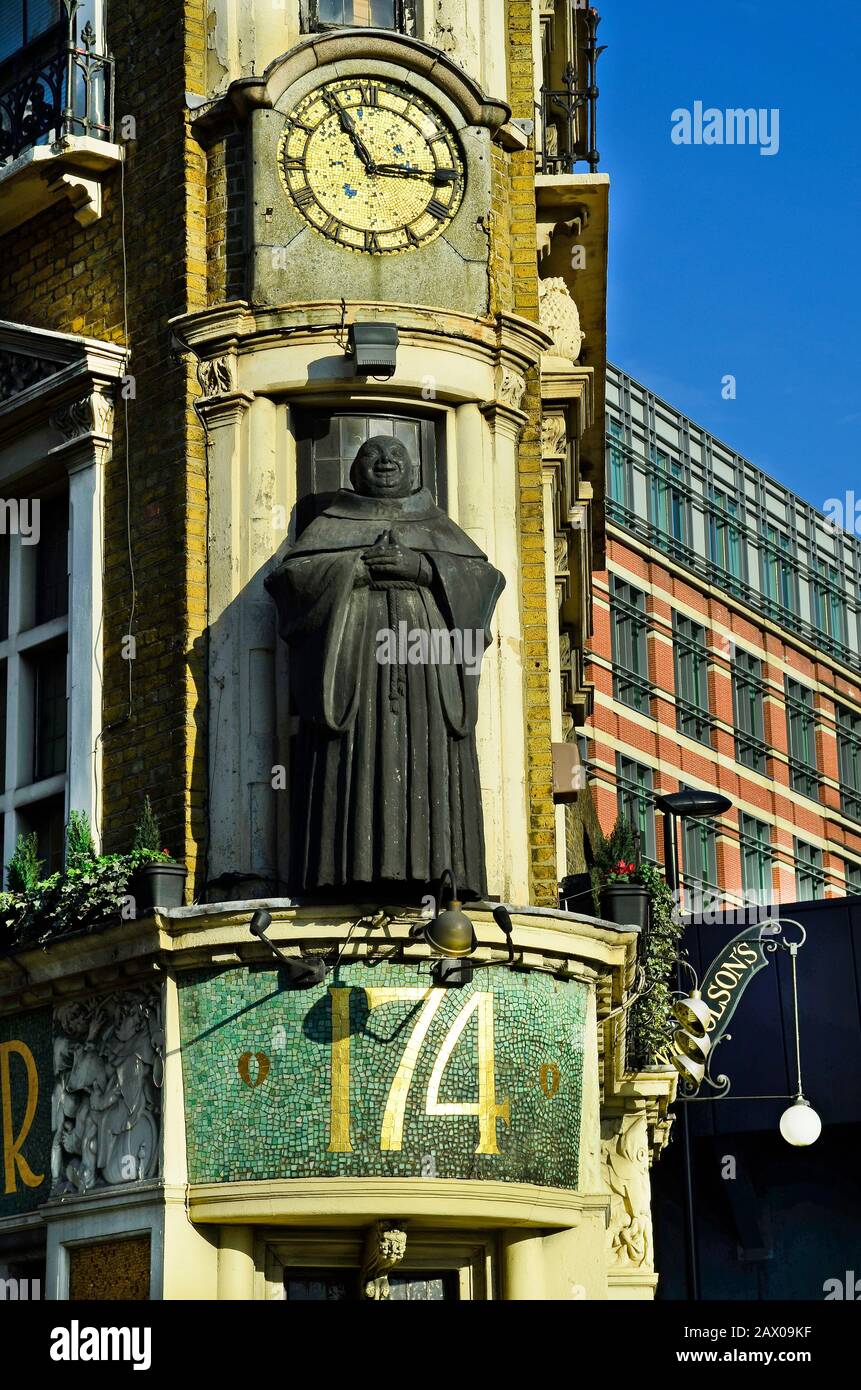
(372, 165)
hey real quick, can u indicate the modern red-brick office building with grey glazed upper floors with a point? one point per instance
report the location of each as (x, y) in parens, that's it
(727, 654)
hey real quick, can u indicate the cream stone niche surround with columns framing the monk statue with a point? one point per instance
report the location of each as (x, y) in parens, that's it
(259, 366)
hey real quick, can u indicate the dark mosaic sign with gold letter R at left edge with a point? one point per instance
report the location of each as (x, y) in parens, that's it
(26, 1111)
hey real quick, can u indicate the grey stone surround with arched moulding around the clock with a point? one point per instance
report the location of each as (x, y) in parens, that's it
(289, 261)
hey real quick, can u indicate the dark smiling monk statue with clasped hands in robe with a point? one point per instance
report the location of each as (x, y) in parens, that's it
(386, 605)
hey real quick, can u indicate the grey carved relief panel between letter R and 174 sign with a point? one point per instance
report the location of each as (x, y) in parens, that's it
(106, 1107)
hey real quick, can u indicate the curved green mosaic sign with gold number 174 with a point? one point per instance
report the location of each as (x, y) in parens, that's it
(383, 1074)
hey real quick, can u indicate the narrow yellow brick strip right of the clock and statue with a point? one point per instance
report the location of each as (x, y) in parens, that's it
(533, 604)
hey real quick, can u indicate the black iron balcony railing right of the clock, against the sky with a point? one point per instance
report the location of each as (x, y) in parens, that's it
(568, 138)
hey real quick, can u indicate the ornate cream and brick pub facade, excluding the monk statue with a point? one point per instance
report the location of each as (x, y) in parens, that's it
(208, 218)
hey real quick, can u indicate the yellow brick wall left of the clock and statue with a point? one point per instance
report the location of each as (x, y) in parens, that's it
(61, 276)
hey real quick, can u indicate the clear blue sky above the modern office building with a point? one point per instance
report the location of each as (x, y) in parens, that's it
(728, 262)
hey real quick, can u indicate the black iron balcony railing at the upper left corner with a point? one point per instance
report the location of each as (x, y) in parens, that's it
(56, 88)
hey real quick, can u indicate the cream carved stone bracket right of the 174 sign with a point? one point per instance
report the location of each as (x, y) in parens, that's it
(625, 1153)
